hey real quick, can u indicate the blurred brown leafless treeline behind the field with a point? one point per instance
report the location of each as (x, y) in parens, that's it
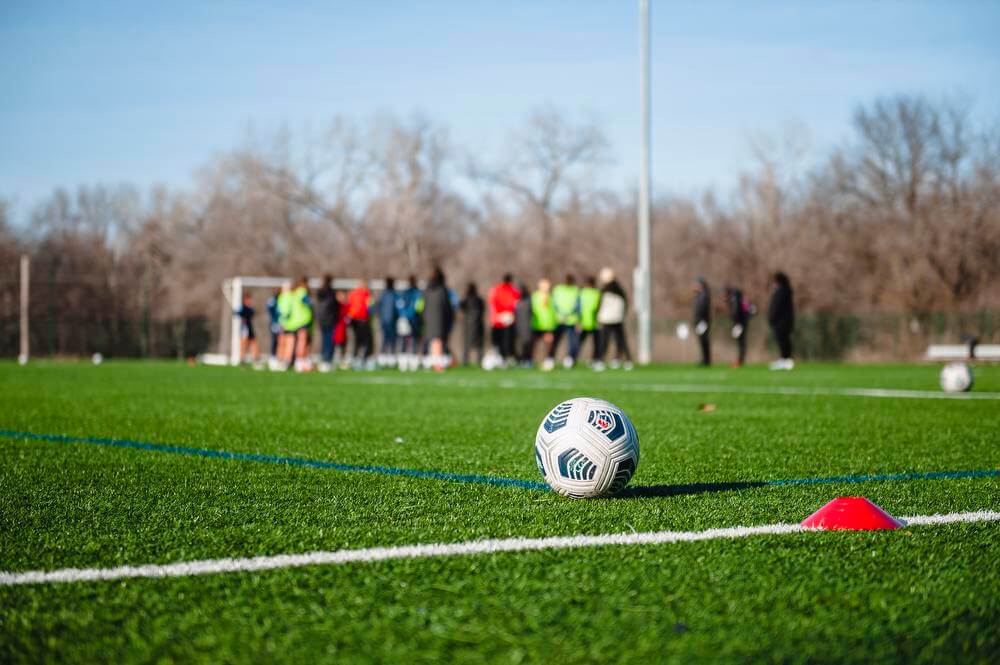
(903, 218)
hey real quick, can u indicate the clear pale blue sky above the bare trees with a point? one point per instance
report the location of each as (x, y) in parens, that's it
(148, 92)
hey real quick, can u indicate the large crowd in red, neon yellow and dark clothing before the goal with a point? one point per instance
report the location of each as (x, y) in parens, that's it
(416, 324)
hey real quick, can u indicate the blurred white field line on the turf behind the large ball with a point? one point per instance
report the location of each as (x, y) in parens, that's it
(681, 388)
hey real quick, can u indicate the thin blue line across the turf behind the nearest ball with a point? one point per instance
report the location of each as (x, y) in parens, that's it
(498, 481)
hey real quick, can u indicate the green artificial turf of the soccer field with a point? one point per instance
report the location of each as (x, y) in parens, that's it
(929, 593)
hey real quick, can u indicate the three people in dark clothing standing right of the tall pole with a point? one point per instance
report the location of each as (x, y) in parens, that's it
(780, 318)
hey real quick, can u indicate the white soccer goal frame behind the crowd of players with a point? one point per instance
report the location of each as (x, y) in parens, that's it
(233, 290)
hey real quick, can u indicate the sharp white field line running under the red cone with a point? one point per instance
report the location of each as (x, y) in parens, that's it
(340, 557)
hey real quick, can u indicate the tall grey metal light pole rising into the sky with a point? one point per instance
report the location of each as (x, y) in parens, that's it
(643, 282)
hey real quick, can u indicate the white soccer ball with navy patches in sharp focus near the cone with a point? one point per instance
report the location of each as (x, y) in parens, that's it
(586, 447)
